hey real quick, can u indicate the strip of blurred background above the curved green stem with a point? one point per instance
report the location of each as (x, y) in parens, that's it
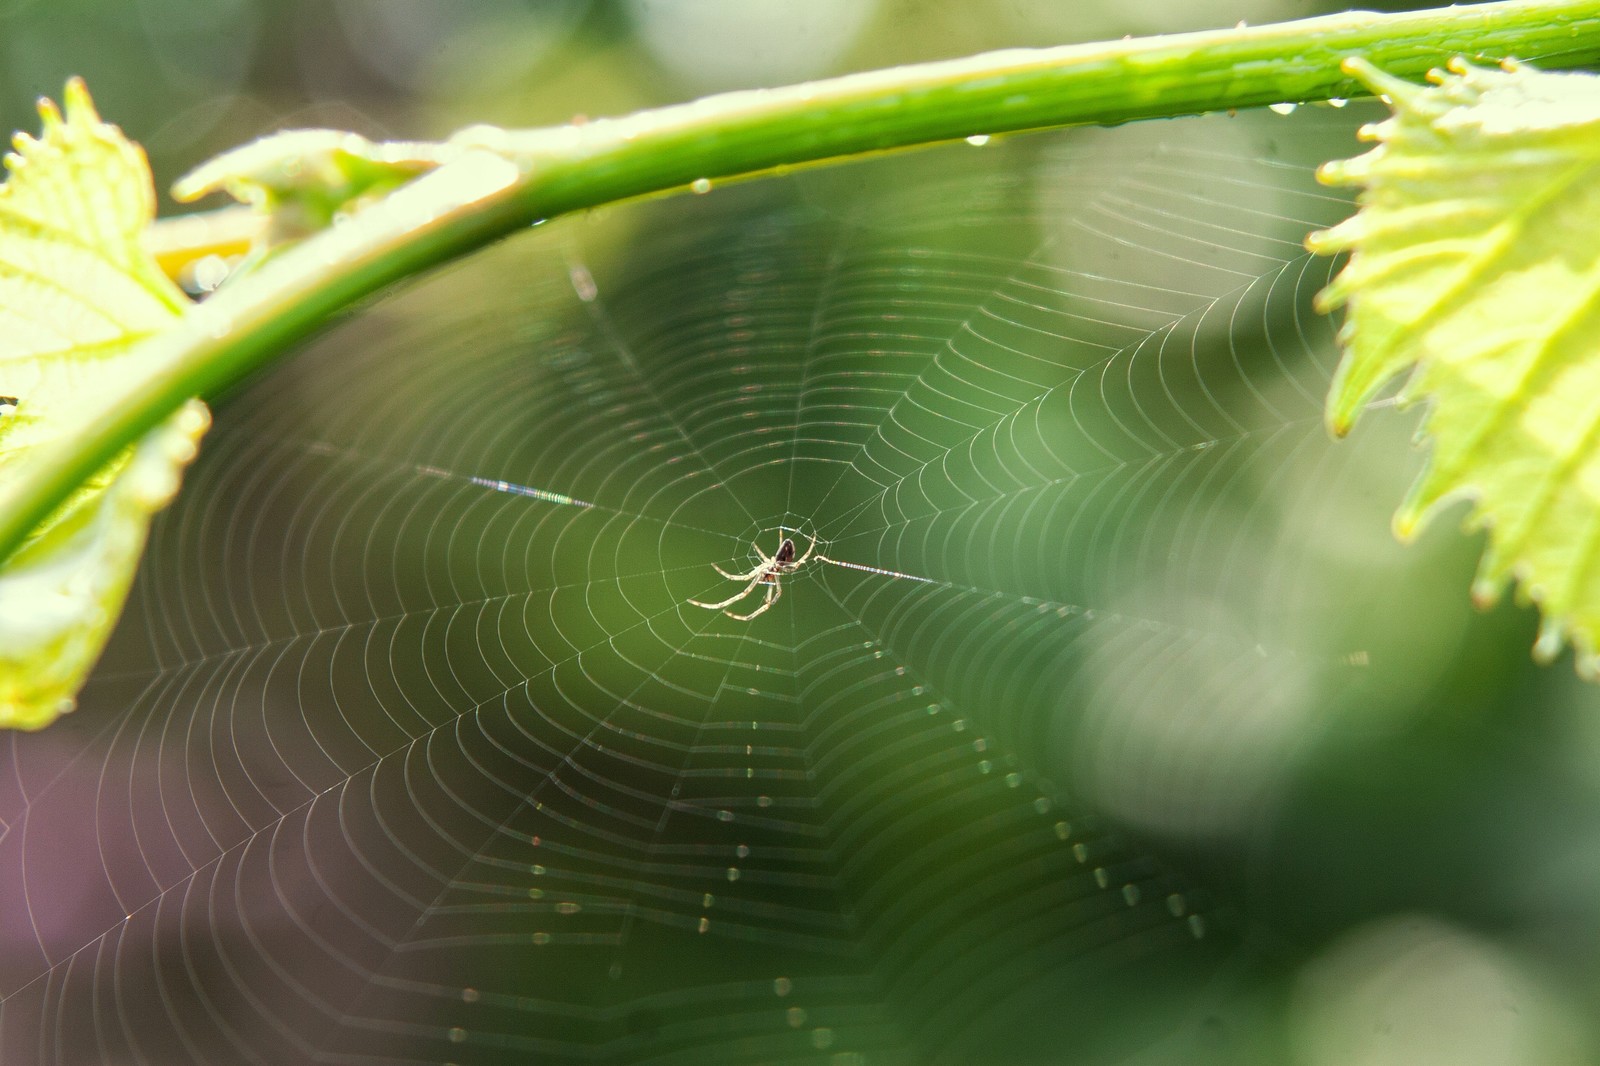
(190, 81)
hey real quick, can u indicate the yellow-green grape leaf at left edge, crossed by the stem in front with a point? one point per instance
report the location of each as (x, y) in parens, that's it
(78, 295)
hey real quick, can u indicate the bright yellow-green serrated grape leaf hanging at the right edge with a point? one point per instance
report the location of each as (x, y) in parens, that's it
(1476, 266)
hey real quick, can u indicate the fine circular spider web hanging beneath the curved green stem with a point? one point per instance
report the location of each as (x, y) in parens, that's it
(414, 750)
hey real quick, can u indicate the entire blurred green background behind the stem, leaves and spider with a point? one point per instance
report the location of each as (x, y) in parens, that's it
(1230, 775)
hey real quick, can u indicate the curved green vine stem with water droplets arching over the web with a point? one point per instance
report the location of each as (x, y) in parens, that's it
(498, 183)
